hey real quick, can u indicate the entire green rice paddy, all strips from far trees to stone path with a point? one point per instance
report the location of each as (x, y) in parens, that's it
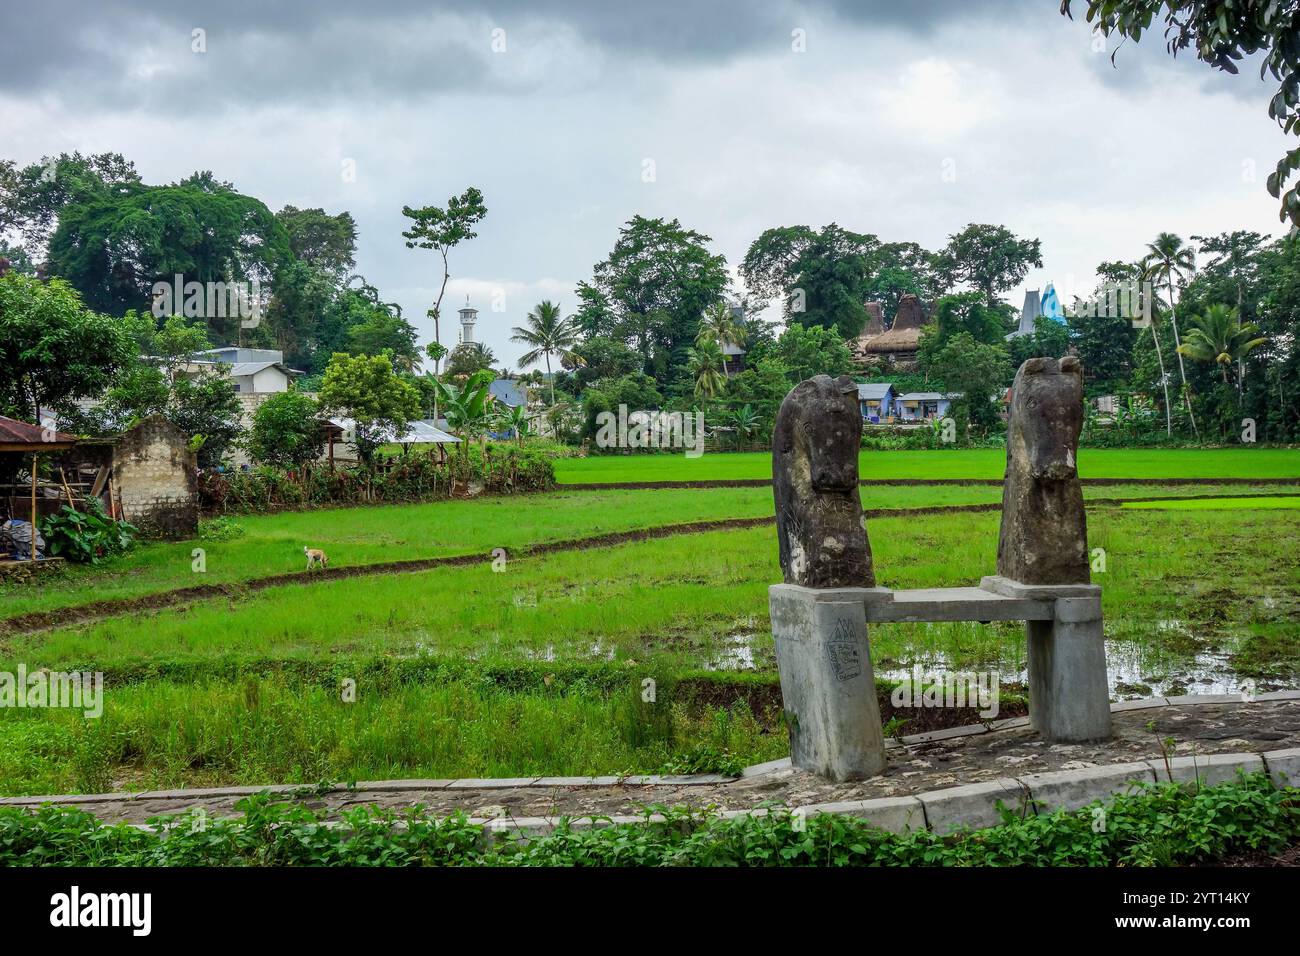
(538, 665)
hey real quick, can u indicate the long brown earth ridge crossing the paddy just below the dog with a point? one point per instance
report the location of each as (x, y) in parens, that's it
(34, 622)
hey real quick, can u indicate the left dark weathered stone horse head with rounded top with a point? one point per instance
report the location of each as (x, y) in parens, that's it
(824, 539)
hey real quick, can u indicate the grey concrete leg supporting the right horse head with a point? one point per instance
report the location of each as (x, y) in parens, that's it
(1069, 695)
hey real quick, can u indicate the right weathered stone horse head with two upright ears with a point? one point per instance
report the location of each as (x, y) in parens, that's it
(1045, 538)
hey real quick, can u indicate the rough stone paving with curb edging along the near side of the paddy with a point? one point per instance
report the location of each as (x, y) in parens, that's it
(917, 767)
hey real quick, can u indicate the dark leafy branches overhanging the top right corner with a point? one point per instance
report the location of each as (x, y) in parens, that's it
(1224, 32)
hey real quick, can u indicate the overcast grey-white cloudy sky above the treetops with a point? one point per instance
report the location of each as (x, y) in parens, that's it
(554, 109)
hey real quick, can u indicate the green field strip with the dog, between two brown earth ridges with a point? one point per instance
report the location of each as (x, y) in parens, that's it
(274, 544)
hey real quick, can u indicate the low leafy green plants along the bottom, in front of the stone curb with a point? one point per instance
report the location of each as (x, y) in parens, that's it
(1155, 827)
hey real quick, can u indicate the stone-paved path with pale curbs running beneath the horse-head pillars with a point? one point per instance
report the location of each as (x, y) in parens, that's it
(942, 781)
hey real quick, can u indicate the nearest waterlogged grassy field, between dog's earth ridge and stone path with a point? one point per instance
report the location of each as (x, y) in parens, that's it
(248, 690)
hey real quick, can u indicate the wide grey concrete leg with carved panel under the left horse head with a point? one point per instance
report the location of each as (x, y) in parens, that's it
(827, 684)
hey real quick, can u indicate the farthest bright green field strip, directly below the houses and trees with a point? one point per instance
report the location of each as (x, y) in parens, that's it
(960, 464)
